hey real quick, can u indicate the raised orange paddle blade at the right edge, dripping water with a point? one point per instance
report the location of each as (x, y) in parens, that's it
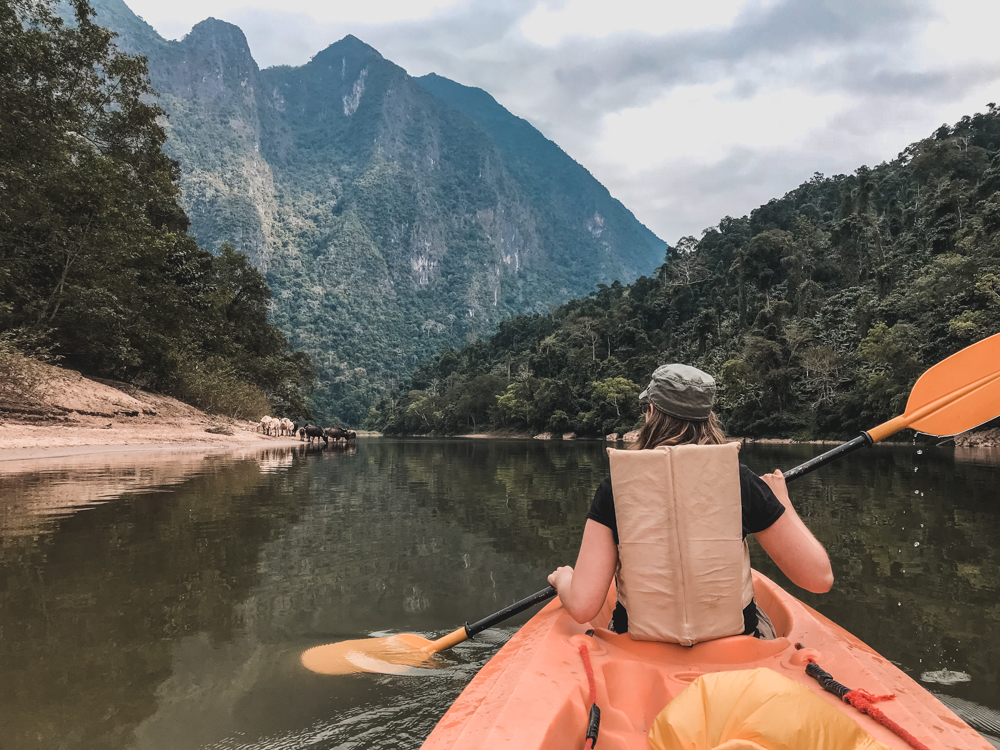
(957, 394)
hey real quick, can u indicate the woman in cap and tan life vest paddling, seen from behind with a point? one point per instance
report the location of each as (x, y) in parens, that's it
(670, 525)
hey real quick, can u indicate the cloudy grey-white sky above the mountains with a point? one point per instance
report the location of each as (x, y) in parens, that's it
(687, 111)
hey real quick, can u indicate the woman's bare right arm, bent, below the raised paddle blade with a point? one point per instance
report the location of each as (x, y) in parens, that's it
(792, 546)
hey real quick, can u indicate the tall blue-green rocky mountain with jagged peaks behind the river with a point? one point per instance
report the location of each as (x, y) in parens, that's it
(392, 216)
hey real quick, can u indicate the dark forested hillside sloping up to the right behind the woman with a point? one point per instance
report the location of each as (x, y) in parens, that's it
(816, 313)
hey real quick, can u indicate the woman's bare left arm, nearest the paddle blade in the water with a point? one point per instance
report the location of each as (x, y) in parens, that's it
(583, 591)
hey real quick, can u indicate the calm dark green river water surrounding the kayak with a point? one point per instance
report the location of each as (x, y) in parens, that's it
(161, 601)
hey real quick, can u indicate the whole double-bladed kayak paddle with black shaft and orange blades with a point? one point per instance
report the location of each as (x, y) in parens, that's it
(955, 395)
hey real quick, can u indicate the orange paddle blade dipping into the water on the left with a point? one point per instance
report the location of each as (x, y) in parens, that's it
(394, 654)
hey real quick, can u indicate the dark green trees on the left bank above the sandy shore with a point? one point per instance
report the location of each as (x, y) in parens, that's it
(96, 264)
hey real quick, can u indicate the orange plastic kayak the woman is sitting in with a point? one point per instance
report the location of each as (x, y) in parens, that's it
(535, 694)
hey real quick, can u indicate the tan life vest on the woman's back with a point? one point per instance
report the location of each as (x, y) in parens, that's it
(683, 565)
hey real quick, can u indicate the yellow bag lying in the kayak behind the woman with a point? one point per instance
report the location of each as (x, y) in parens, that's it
(754, 709)
